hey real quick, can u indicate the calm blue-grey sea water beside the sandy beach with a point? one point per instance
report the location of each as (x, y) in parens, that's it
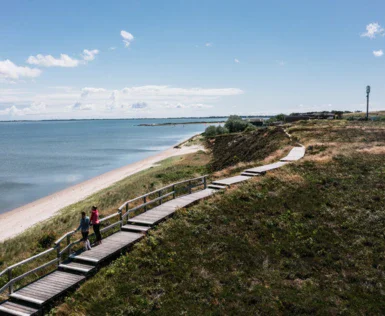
(40, 158)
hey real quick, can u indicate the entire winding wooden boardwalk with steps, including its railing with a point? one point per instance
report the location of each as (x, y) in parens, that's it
(30, 299)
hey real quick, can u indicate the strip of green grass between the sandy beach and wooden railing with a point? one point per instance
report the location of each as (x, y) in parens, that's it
(41, 236)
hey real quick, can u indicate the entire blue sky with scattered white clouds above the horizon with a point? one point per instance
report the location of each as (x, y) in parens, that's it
(139, 58)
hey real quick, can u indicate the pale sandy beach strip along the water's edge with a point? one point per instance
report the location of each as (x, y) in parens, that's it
(16, 221)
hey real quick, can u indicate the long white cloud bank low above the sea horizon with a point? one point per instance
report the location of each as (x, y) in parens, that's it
(98, 102)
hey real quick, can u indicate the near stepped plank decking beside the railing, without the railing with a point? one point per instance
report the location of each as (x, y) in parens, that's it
(30, 299)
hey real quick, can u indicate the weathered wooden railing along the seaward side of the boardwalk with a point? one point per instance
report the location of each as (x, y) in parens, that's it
(172, 190)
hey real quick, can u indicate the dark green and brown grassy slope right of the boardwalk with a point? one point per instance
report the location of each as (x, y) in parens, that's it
(306, 239)
